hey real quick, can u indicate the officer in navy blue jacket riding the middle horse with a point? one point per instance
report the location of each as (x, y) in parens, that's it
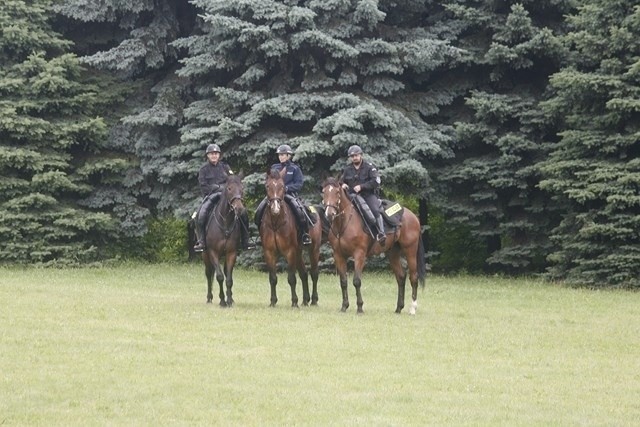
(293, 180)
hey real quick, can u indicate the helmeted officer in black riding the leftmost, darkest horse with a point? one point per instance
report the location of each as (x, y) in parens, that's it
(212, 177)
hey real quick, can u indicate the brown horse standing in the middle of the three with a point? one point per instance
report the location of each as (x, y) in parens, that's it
(279, 235)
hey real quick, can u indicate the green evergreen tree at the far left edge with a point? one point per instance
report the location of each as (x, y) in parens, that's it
(49, 144)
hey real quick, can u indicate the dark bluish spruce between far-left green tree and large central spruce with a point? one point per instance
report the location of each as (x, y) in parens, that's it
(131, 41)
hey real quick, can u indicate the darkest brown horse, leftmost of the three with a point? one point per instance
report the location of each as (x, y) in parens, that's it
(223, 239)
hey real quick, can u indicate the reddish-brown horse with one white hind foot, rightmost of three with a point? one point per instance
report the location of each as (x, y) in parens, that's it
(348, 238)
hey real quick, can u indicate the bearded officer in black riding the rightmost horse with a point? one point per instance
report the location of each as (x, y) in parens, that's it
(362, 178)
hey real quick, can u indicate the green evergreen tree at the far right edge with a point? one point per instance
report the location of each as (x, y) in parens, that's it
(594, 170)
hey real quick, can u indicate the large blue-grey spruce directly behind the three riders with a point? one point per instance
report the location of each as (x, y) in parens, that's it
(319, 75)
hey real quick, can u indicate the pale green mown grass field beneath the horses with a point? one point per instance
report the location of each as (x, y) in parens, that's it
(137, 345)
